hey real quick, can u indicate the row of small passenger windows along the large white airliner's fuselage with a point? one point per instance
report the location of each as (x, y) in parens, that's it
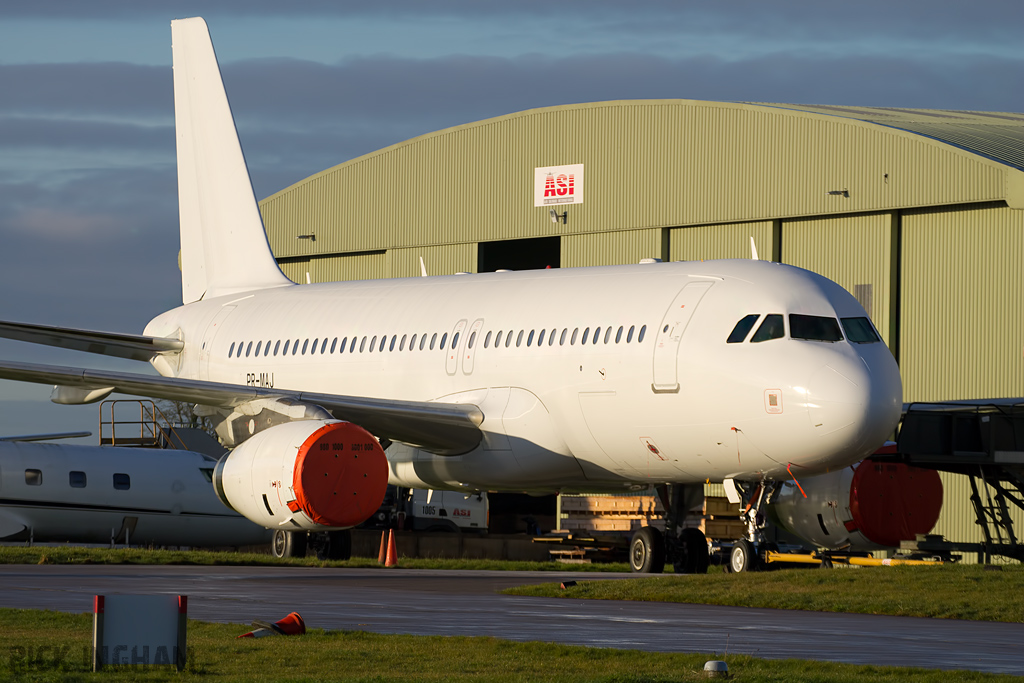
(417, 341)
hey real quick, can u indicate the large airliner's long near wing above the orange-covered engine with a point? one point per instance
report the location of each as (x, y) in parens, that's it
(440, 429)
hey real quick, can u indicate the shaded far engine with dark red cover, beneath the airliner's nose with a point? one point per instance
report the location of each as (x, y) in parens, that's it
(868, 506)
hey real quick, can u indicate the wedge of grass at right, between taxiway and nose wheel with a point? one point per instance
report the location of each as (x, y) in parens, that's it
(968, 592)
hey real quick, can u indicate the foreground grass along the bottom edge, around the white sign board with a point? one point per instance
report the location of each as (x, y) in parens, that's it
(38, 646)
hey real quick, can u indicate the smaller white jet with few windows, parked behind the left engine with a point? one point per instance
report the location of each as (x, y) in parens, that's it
(82, 494)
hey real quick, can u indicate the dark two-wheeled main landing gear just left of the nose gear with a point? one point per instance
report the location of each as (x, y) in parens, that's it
(685, 547)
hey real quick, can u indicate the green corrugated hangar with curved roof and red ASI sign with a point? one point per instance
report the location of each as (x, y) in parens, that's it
(919, 214)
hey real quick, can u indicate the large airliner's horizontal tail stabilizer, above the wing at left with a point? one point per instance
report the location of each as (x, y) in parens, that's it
(135, 348)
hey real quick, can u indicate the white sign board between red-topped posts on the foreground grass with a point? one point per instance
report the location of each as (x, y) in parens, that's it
(137, 630)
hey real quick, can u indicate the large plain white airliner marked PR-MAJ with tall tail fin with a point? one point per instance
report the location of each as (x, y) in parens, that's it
(580, 379)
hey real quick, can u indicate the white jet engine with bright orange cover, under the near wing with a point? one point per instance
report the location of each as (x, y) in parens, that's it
(310, 476)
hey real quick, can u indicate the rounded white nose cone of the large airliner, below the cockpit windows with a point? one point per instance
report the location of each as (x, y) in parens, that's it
(856, 402)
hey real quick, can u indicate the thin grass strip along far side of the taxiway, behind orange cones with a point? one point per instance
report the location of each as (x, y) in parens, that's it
(77, 556)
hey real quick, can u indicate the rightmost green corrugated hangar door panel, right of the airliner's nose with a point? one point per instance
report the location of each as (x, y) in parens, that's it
(963, 305)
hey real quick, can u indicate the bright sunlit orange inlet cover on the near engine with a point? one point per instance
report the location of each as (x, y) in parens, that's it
(340, 476)
